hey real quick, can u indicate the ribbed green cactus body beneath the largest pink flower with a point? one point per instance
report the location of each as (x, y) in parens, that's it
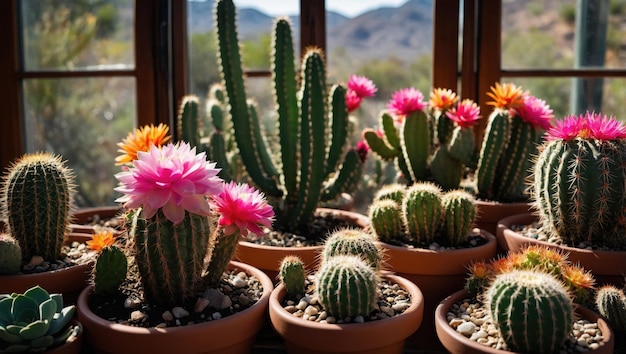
(170, 258)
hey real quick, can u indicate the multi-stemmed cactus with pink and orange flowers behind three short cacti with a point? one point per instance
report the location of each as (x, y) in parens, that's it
(435, 146)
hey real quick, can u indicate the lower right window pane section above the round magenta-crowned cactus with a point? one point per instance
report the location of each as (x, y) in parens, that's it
(608, 96)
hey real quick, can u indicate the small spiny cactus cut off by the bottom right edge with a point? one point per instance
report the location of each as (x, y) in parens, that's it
(611, 303)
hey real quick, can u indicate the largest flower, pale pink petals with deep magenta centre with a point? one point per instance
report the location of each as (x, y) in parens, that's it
(172, 178)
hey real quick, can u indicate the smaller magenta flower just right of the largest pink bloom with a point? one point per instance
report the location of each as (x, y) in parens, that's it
(242, 208)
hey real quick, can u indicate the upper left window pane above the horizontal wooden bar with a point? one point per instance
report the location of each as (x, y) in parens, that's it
(77, 34)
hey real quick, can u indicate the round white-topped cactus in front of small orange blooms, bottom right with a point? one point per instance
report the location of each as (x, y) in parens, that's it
(531, 309)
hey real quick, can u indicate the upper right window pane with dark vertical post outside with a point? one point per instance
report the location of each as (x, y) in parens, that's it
(563, 34)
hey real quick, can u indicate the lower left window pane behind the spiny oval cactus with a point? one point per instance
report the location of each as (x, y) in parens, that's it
(81, 120)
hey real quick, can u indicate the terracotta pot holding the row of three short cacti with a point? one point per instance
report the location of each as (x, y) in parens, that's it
(437, 274)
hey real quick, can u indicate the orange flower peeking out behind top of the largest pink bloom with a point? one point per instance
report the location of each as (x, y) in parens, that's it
(141, 140)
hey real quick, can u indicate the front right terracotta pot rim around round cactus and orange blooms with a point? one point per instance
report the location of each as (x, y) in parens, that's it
(455, 342)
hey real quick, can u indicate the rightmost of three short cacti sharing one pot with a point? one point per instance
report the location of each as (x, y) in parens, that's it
(459, 215)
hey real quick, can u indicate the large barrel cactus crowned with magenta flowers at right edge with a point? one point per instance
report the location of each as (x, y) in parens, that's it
(579, 181)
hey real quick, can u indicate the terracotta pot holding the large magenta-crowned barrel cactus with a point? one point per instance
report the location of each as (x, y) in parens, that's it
(608, 267)
